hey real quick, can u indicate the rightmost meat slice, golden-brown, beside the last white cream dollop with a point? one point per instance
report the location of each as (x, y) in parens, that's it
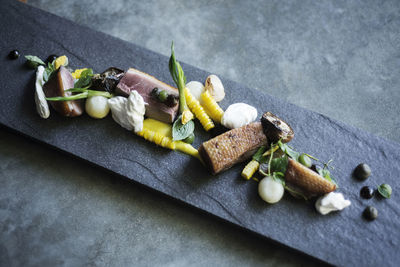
(306, 180)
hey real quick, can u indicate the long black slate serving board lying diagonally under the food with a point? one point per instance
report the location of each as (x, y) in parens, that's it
(343, 238)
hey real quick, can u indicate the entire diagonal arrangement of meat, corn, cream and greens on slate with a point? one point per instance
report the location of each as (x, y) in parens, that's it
(163, 114)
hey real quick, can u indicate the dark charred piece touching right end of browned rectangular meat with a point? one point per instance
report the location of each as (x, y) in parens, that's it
(276, 129)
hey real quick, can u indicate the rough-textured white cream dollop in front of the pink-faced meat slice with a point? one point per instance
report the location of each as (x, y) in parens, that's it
(128, 112)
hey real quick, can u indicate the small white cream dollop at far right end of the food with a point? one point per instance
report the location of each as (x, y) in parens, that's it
(331, 202)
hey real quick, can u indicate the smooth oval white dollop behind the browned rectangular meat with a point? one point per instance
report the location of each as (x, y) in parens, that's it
(238, 115)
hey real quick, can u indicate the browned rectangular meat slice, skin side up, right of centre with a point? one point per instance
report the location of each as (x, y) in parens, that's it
(236, 145)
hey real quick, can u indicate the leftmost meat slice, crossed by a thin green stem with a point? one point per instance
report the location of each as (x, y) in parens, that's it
(56, 87)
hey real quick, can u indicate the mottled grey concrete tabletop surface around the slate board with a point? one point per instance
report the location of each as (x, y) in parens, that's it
(339, 58)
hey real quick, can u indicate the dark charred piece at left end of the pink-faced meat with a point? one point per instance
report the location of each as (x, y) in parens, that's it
(107, 80)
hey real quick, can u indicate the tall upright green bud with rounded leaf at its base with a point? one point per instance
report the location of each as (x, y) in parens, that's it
(183, 126)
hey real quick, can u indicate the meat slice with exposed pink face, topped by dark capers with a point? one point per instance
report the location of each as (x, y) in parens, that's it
(144, 84)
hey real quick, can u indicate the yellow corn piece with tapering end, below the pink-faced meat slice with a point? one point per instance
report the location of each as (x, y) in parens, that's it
(160, 133)
